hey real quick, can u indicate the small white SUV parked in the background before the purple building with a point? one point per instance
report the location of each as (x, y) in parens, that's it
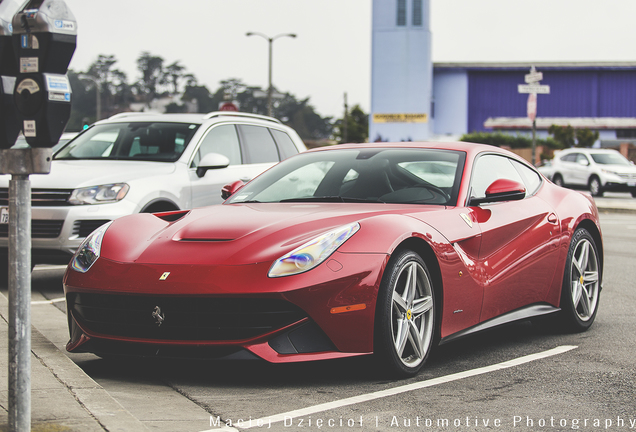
(598, 170)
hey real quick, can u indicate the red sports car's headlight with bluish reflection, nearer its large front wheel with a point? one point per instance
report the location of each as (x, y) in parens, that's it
(313, 252)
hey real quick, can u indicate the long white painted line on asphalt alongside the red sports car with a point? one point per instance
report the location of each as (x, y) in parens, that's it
(396, 390)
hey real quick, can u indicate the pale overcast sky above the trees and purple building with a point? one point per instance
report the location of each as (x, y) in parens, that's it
(332, 52)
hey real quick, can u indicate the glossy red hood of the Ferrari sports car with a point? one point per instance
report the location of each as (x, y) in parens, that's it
(235, 234)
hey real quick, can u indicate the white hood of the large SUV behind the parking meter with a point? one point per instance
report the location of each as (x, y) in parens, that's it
(72, 174)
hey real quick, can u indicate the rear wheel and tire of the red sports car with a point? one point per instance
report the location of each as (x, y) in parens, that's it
(581, 282)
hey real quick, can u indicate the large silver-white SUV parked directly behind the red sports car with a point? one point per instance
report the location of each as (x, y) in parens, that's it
(136, 162)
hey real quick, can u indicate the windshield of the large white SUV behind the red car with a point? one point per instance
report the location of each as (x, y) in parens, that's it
(144, 141)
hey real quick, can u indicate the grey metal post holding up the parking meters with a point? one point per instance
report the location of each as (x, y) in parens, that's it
(20, 303)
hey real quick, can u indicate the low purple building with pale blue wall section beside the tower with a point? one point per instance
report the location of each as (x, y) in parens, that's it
(484, 97)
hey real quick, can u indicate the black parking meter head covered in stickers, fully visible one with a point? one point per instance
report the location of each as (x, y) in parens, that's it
(44, 40)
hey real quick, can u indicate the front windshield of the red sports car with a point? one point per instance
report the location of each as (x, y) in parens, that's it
(408, 176)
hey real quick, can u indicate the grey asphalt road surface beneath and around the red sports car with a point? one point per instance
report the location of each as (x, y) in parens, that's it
(583, 381)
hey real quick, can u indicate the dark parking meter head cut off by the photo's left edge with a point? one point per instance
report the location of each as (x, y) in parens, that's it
(9, 128)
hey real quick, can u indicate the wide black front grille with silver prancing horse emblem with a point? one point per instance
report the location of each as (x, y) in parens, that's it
(184, 318)
